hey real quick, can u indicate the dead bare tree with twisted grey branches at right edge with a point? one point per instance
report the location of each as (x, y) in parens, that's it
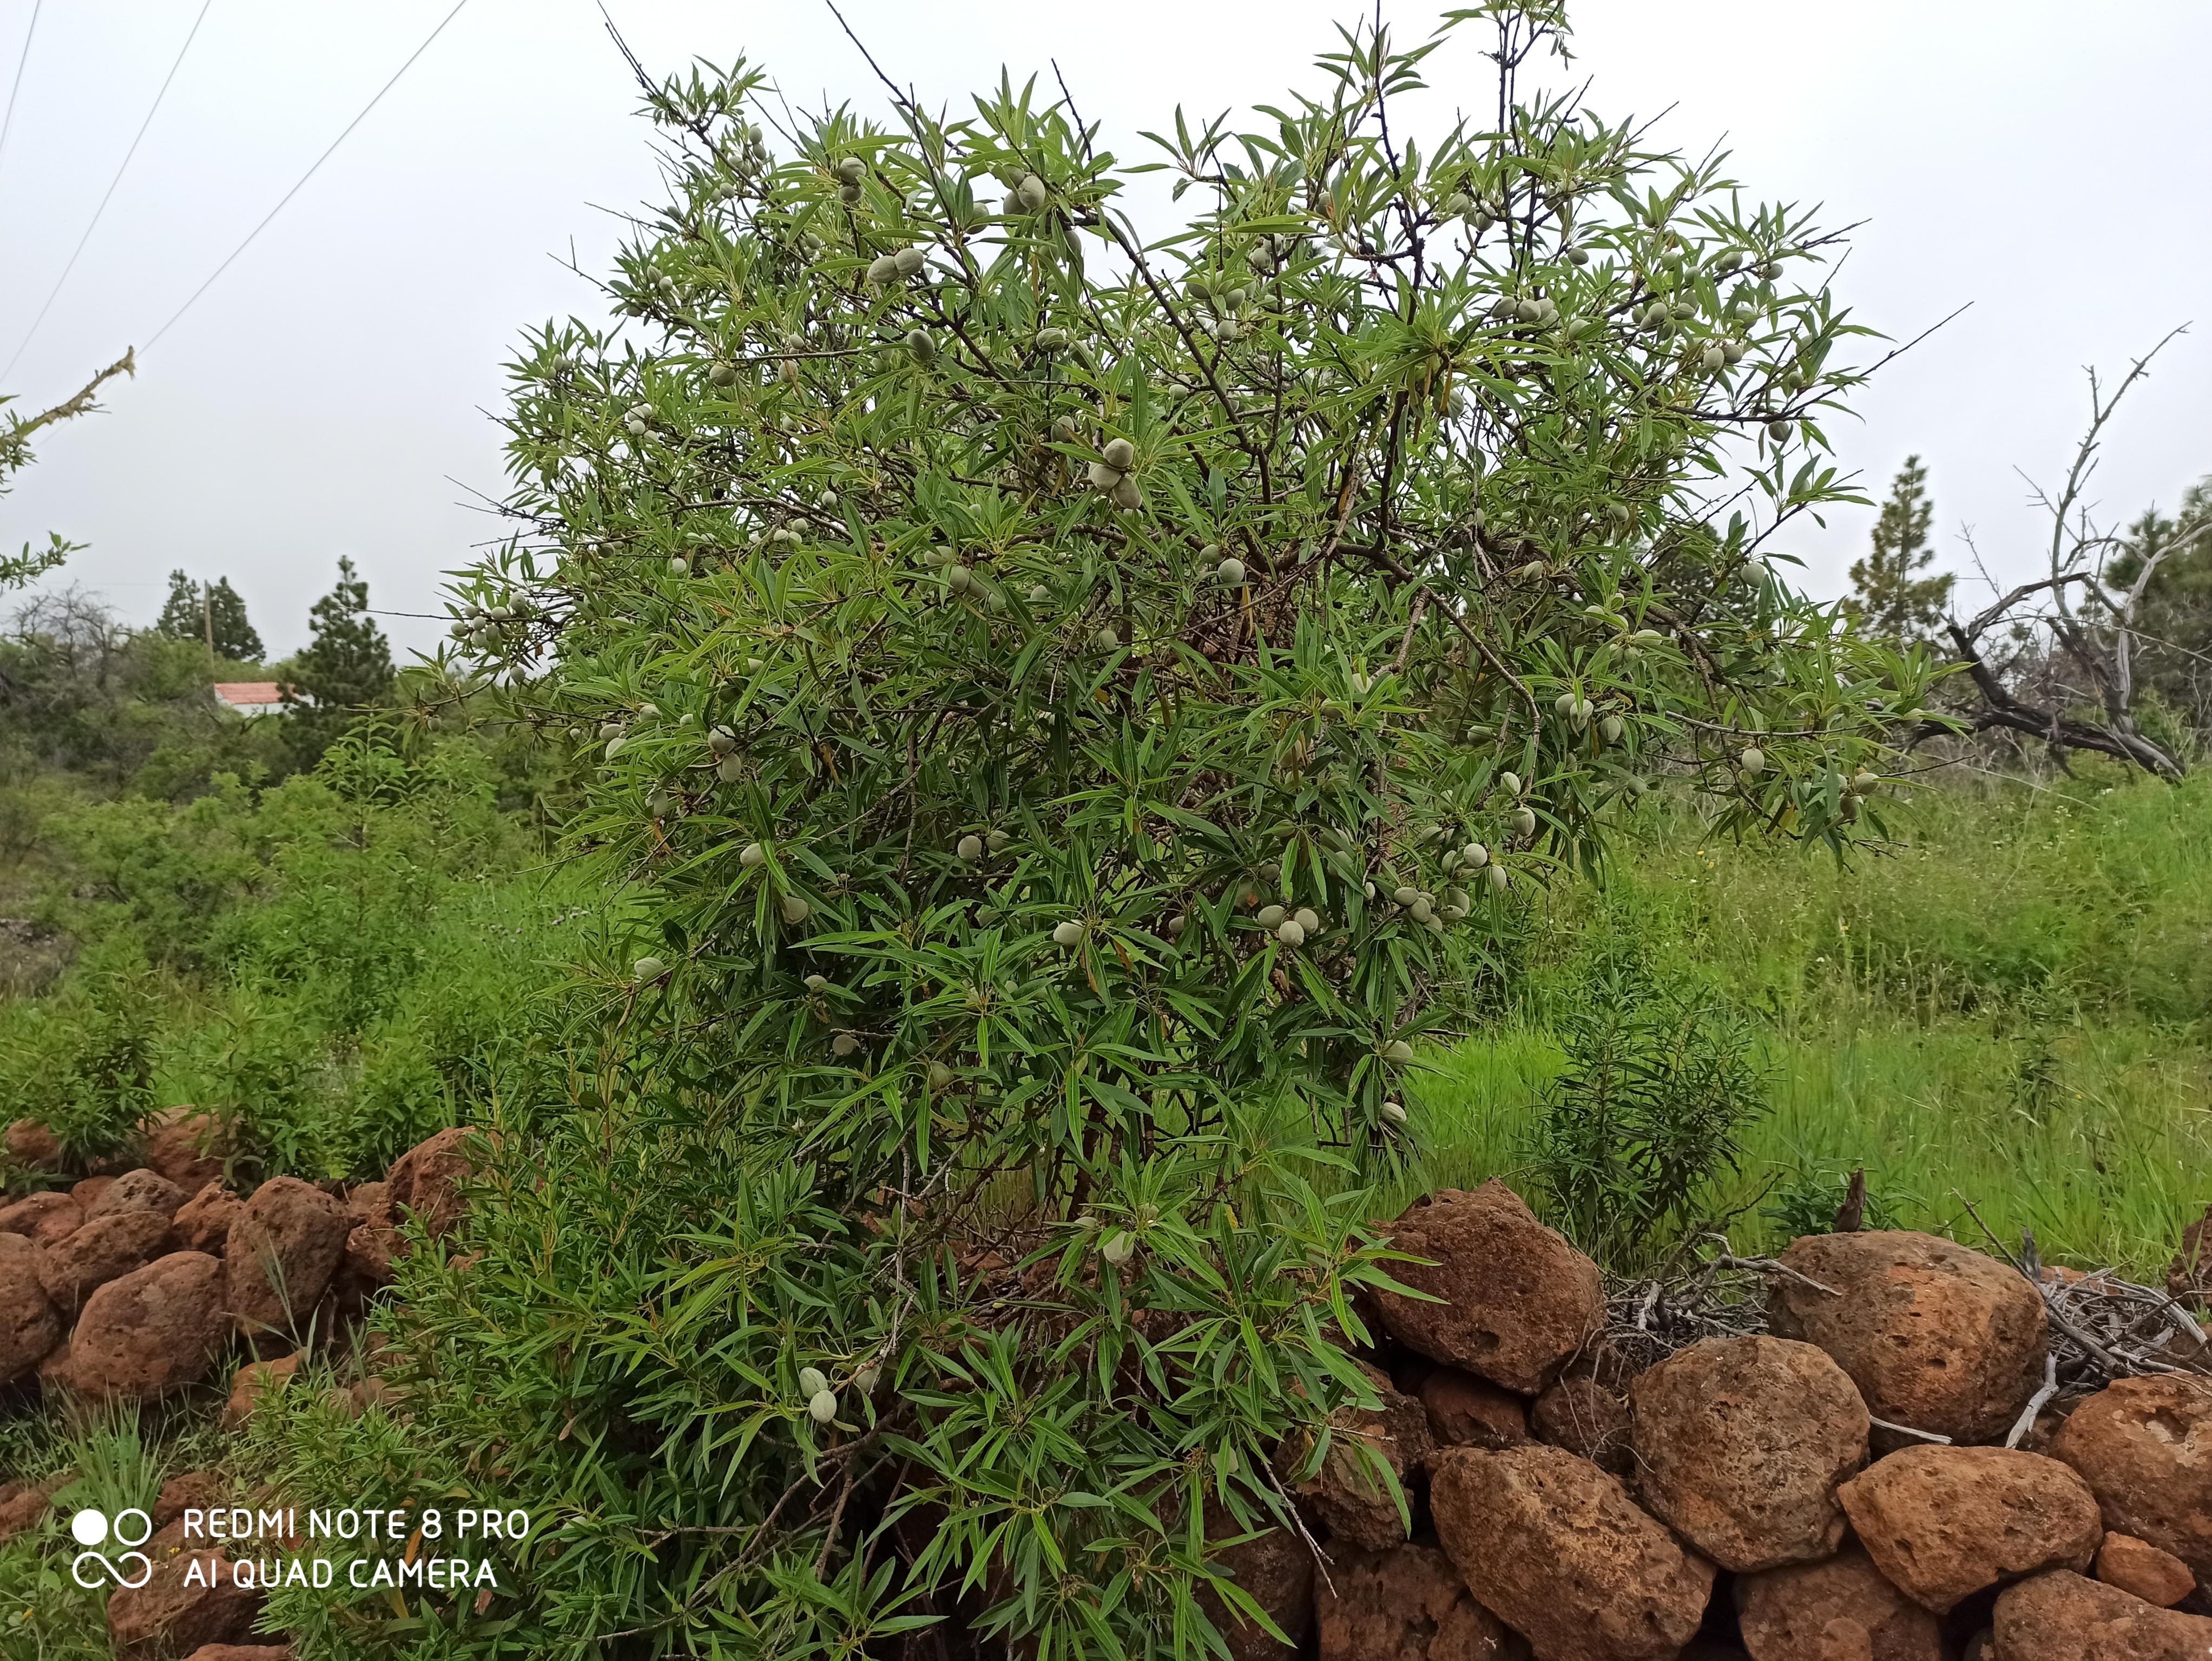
(2069, 676)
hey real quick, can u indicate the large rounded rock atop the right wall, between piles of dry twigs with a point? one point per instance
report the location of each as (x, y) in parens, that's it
(1937, 1337)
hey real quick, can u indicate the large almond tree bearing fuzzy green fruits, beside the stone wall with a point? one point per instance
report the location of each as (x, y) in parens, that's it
(1070, 711)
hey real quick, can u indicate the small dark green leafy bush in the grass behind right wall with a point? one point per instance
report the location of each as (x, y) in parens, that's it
(1647, 1118)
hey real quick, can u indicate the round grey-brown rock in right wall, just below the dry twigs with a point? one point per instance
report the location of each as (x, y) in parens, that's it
(1742, 1445)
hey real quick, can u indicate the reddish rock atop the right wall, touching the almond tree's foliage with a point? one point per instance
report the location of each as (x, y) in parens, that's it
(1516, 1299)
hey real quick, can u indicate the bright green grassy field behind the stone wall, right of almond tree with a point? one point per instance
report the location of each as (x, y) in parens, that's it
(2007, 1007)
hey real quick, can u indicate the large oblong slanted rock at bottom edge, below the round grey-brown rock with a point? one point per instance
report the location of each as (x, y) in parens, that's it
(1561, 1554)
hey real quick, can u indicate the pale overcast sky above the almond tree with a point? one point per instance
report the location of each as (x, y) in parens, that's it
(333, 393)
